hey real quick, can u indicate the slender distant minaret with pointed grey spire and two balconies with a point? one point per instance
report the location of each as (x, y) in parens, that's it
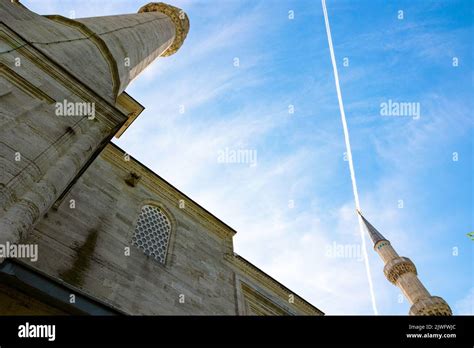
(401, 271)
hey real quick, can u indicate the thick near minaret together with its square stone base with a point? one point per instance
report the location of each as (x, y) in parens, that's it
(47, 61)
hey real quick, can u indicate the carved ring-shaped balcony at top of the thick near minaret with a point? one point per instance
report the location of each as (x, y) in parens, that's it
(179, 18)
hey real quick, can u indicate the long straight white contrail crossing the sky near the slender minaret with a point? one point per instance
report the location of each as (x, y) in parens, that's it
(349, 157)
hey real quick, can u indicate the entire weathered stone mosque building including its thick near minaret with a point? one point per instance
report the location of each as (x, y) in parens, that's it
(81, 210)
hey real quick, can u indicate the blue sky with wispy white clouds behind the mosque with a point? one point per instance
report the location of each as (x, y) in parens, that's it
(297, 203)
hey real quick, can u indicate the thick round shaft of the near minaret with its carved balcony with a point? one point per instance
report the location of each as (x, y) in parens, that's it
(107, 52)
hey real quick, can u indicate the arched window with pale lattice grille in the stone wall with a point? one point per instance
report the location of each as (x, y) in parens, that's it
(152, 232)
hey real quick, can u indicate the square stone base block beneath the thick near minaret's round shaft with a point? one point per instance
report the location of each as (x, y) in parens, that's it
(42, 150)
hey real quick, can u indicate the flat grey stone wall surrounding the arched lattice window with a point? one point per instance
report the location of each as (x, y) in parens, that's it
(84, 243)
